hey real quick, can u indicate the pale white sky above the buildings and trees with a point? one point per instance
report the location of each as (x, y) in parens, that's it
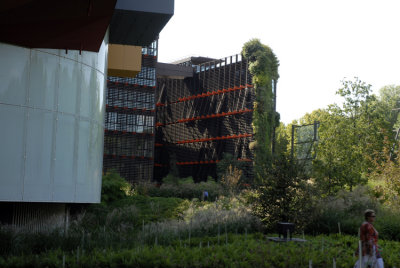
(318, 42)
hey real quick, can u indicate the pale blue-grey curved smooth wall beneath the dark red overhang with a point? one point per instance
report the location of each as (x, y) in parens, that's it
(51, 124)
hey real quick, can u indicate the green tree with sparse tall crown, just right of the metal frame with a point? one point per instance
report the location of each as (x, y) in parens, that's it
(348, 138)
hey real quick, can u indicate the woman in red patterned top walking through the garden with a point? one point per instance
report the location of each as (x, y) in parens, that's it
(371, 256)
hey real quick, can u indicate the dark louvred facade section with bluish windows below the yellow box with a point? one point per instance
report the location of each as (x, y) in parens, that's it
(129, 122)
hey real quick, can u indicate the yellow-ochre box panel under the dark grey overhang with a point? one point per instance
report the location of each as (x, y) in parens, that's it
(124, 61)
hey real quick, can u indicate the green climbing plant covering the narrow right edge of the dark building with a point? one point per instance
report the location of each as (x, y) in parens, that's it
(263, 66)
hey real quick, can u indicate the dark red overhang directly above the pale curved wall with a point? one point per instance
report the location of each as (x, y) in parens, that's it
(72, 24)
